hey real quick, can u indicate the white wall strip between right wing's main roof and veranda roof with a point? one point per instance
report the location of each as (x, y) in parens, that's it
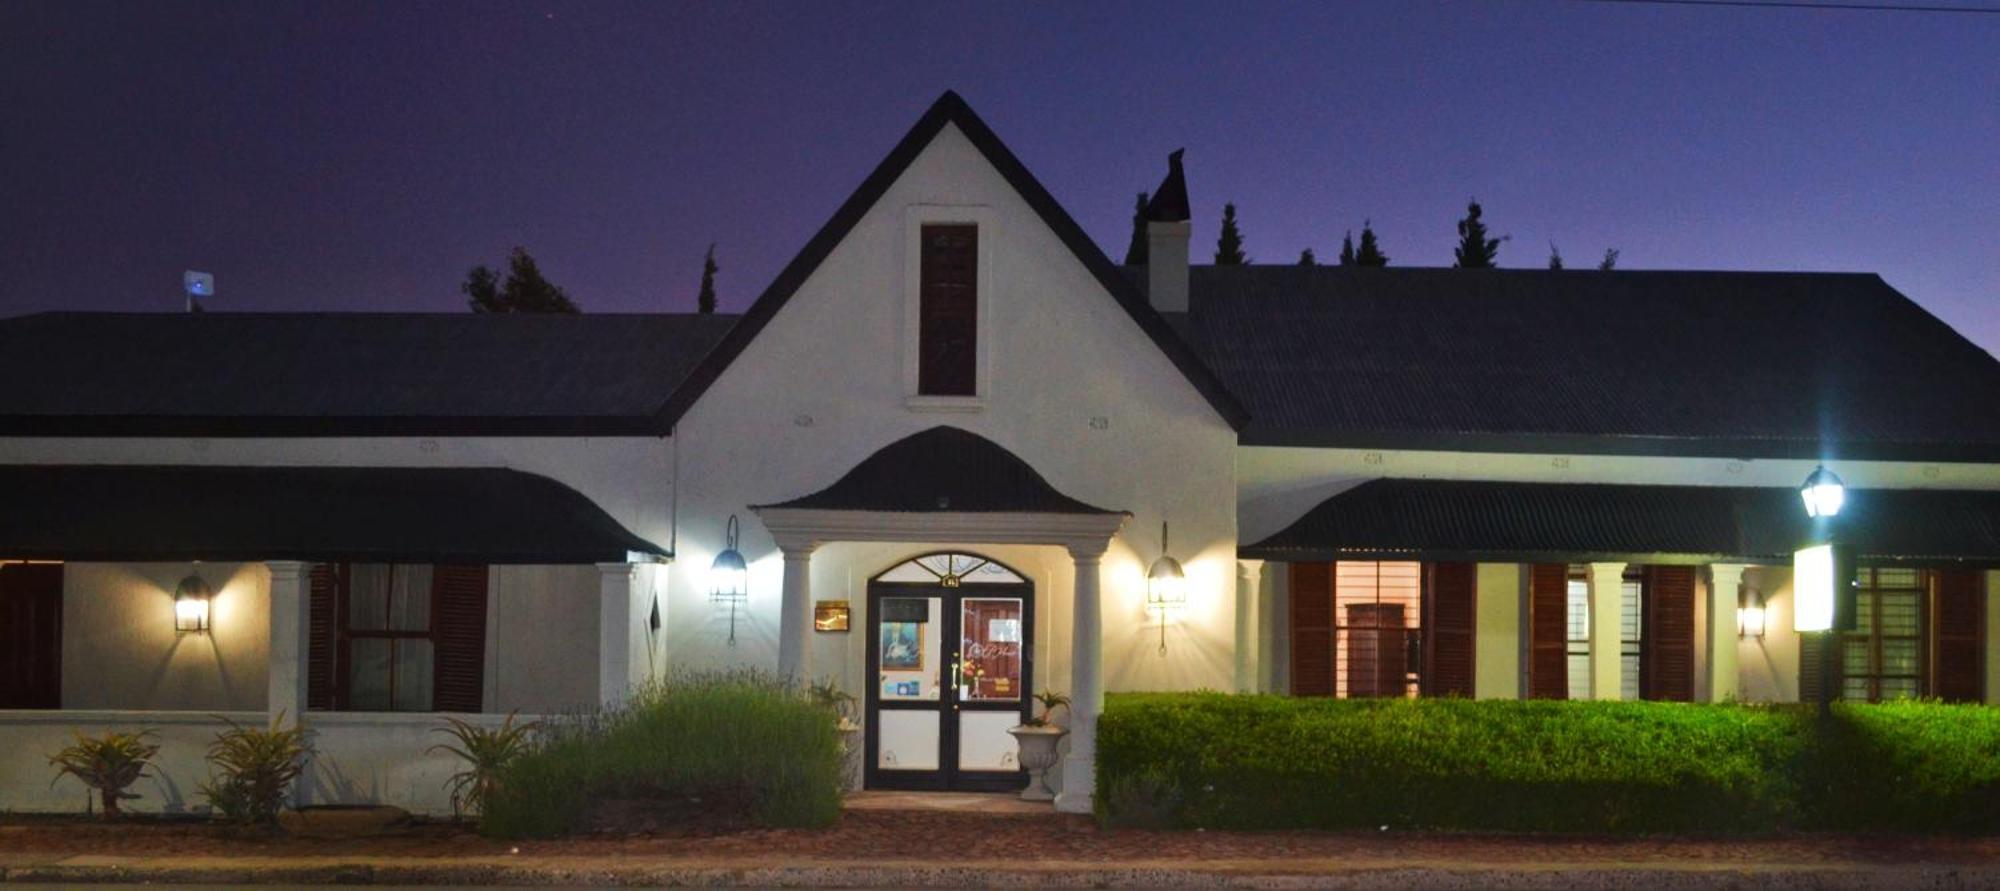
(1281, 484)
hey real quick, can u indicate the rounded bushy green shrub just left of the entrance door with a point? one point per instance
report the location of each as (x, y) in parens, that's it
(735, 746)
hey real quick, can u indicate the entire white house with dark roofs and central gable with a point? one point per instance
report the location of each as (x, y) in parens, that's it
(957, 435)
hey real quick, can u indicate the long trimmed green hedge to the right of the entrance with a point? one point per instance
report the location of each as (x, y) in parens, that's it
(1257, 762)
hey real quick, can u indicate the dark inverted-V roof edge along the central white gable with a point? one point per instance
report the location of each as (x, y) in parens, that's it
(957, 113)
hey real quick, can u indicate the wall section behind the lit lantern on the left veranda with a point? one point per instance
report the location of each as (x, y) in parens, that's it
(121, 650)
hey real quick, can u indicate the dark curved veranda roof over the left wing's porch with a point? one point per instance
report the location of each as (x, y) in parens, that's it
(377, 514)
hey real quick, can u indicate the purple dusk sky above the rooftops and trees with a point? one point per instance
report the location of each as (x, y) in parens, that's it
(347, 157)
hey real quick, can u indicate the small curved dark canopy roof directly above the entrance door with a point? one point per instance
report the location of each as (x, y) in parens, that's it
(943, 470)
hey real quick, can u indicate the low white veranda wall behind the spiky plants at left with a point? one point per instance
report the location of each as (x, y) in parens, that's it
(361, 758)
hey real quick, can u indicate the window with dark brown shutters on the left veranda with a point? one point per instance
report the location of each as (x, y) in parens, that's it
(397, 638)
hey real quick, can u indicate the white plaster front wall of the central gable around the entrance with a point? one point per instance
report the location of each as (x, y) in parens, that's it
(823, 389)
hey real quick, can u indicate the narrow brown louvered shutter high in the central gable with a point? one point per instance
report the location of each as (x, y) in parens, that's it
(949, 279)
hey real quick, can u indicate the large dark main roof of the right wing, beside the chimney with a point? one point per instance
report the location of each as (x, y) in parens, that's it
(1731, 365)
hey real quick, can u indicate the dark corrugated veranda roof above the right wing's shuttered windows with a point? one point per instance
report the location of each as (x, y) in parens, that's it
(1577, 522)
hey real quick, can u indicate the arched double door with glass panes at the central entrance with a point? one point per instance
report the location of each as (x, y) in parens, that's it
(951, 664)
